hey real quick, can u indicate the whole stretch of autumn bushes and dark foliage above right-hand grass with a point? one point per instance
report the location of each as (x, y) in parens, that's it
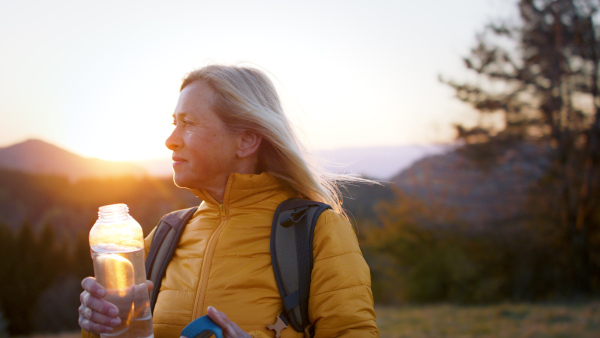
(422, 253)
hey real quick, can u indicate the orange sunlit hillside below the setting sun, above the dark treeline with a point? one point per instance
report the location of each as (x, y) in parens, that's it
(72, 206)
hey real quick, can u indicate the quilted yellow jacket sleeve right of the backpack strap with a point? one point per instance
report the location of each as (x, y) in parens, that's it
(341, 301)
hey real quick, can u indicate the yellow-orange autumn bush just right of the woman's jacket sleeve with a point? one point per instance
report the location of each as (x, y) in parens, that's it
(422, 250)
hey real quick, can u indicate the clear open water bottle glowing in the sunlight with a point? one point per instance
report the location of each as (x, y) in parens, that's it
(117, 246)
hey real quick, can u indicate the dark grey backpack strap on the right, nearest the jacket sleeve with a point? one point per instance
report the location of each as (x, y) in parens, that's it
(292, 256)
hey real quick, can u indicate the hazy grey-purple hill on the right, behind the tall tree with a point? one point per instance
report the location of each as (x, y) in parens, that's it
(482, 197)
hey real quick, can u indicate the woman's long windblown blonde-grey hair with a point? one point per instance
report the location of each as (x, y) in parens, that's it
(245, 99)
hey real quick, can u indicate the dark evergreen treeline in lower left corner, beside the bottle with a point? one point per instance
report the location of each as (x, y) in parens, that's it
(39, 284)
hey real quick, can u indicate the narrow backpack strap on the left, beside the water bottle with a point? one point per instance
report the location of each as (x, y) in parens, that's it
(163, 246)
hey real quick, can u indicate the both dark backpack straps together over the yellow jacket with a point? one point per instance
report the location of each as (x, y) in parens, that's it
(291, 255)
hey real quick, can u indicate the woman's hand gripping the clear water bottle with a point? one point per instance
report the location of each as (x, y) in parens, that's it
(96, 315)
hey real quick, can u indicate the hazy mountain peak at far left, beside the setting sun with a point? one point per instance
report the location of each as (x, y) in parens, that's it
(39, 157)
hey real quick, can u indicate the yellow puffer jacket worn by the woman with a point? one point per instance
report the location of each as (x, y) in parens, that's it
(223, 260)
